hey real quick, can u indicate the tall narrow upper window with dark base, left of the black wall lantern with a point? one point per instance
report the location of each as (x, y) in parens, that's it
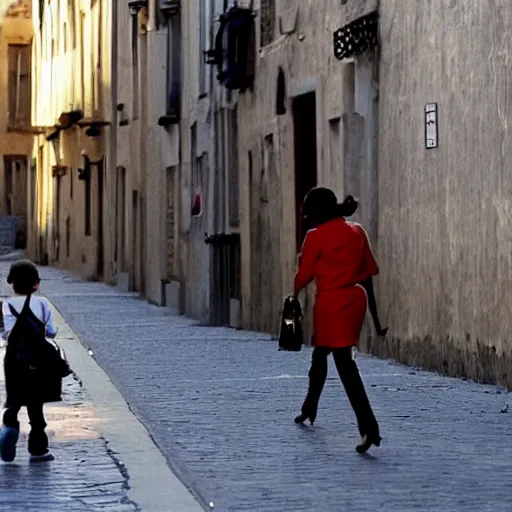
(173, 66)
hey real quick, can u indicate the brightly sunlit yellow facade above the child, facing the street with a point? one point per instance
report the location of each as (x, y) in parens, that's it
(72, 72)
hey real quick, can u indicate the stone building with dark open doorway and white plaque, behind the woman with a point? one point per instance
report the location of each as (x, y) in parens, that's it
(409, 128)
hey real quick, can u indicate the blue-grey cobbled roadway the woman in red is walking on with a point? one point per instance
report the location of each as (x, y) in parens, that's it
(220, 405)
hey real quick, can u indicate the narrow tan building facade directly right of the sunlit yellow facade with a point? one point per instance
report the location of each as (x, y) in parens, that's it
(145, 150)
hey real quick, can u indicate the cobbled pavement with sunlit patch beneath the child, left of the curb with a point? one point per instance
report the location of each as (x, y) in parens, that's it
(84, 476)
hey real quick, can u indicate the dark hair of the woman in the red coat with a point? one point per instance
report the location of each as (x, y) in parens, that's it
(321, 205)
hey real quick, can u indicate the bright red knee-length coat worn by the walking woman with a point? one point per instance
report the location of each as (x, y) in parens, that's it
(338, 256)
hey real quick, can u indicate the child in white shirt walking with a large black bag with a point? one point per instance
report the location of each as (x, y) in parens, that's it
(33, 367)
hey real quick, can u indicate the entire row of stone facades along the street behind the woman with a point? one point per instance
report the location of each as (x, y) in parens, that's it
(204, 179)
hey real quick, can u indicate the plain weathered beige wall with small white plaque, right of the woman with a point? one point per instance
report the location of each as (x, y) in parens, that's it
(445, 214)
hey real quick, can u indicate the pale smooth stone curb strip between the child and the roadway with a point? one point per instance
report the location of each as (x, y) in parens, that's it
(152, 484)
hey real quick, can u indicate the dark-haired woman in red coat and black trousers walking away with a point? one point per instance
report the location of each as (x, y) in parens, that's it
(338, 256)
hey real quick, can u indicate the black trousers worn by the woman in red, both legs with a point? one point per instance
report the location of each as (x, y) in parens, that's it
(351, 380)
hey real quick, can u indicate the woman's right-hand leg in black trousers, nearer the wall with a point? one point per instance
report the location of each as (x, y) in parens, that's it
(354, 387)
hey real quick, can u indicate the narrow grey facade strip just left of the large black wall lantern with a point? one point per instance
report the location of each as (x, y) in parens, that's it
(193, 253)
